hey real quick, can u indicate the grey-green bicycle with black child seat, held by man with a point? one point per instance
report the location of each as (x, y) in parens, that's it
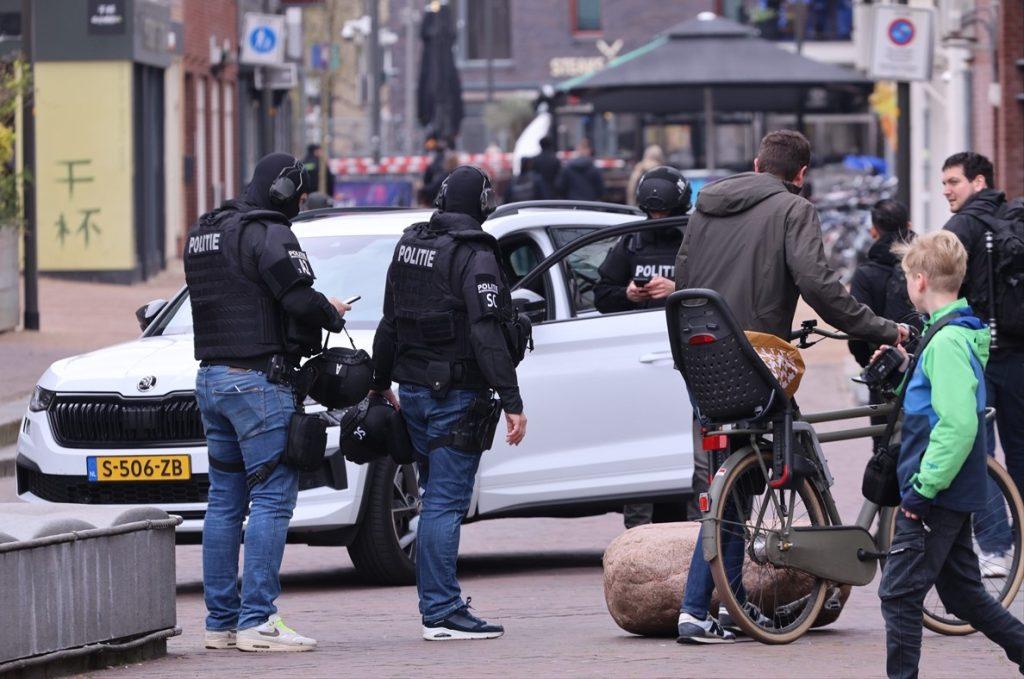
(770, 518)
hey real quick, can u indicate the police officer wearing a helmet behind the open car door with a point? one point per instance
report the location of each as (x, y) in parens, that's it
(639, 271)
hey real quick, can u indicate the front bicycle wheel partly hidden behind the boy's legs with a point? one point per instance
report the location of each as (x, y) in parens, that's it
(1004, 516)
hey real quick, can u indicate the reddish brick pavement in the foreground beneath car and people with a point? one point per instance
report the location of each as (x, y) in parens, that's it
(542, 578)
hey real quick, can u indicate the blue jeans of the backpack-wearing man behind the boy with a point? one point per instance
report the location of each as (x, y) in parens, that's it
(1005, 391)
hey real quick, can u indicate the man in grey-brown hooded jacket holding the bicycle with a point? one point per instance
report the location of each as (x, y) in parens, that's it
(772, 239)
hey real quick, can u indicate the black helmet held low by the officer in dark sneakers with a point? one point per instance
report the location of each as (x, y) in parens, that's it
(373, 430)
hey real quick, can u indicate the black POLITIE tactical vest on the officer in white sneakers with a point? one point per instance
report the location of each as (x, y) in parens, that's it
(233, 317)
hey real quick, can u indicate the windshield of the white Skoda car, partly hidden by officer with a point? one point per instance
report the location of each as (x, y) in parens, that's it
(346, 267)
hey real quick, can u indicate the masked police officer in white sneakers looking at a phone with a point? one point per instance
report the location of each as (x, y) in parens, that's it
(255, 315)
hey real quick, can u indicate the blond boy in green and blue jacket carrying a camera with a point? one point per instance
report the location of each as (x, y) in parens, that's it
(943, 466)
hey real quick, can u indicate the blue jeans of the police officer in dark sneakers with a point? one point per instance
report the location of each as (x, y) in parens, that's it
(447, 479)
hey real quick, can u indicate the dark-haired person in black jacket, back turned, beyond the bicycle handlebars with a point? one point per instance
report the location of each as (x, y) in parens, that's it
(880, 282)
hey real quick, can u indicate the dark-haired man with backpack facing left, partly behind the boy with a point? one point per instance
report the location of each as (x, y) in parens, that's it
(967, 185)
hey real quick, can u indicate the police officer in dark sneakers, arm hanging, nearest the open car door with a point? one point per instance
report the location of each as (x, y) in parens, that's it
(449, 336)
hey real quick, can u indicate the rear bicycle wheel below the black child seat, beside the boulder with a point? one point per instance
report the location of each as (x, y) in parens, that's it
(791, 600)
